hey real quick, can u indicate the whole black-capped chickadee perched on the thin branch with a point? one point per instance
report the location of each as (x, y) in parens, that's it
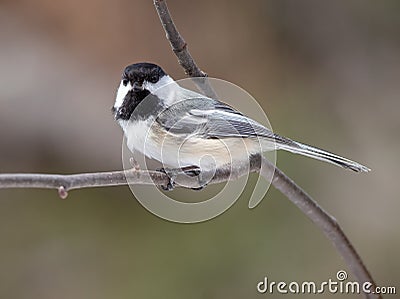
(179, 127)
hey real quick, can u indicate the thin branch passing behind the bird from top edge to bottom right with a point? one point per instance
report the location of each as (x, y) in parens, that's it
(281, 181)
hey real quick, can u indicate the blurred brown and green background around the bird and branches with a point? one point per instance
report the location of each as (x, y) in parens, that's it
(326, 73)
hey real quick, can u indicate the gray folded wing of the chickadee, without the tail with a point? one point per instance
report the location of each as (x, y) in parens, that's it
(210, 119)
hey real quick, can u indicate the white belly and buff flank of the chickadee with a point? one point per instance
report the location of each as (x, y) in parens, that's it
(177, 152)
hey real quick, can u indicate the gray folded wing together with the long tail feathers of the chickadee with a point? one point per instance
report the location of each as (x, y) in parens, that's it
(213, 119)
